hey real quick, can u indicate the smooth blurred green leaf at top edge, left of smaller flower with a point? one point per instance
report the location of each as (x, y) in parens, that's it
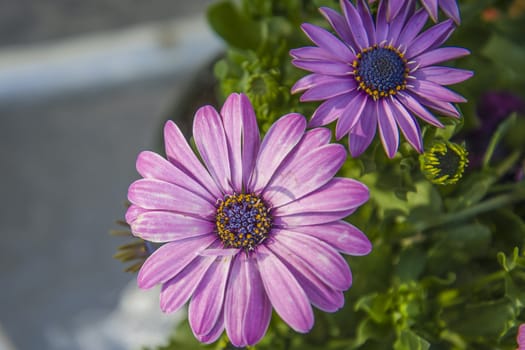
(233, 26)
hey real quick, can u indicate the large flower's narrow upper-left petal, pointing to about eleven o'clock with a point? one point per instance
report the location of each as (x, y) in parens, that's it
(182, 156)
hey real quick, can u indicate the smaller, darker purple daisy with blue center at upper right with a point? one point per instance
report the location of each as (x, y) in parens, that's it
(378, 74)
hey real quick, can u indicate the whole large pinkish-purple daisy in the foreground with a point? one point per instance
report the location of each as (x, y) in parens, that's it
(258, 225)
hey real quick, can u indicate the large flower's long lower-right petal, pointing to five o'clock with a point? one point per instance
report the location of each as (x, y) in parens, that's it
(285, 293)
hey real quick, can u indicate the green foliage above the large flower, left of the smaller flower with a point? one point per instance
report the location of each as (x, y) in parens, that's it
(260, 35)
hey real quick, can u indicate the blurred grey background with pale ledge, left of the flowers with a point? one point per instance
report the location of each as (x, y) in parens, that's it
(84, 86)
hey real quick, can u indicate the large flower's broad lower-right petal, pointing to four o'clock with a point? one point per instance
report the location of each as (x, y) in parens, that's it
(312, 257)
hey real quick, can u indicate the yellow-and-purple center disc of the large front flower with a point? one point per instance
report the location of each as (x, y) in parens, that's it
(242, 220)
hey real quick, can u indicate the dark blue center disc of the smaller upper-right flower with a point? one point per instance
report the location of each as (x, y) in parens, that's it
(380, 71)
